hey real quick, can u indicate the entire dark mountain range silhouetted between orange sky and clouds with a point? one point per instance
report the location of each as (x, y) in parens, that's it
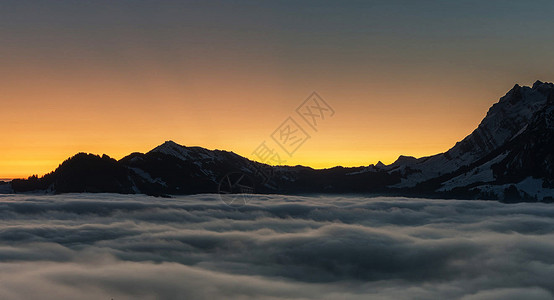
(509, 156)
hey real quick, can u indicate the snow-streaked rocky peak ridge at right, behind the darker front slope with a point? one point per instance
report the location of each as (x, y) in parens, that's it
(504, 120)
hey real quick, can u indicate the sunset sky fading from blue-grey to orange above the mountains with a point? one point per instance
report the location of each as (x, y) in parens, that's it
(115, 77)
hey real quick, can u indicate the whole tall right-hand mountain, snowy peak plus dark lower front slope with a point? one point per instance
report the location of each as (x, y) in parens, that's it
(514, 138)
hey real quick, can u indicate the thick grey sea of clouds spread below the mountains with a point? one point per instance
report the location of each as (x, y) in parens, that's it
(104, 246)
